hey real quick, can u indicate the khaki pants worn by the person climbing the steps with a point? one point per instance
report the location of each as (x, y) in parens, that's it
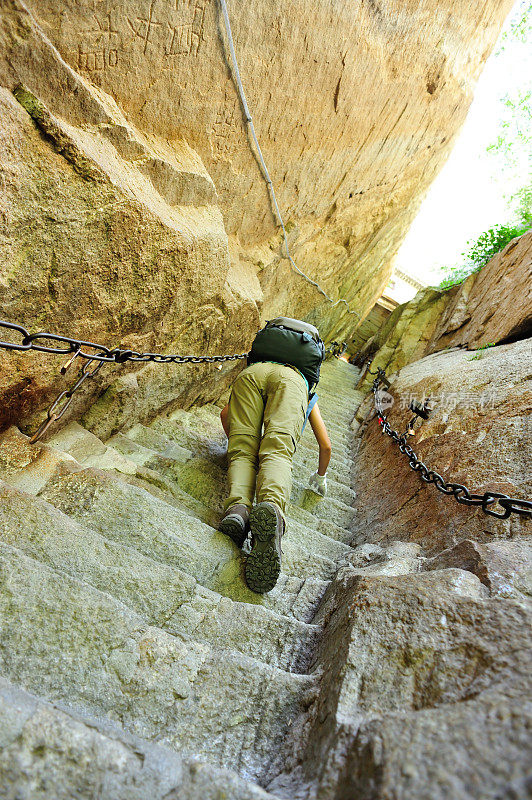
(275, 396)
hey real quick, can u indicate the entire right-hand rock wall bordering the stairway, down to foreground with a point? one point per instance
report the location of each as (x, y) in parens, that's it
(433, 695)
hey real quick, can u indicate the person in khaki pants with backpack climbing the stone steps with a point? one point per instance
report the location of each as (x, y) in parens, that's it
(269, 406)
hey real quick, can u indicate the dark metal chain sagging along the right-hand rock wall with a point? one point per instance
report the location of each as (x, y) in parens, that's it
(462, 495)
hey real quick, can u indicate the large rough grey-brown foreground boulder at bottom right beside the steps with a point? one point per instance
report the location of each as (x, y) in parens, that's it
(424, 692)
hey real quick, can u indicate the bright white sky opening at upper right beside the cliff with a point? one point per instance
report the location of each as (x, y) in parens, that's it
(468, 196)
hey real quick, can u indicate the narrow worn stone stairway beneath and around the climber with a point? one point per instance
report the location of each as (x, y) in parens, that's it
(125, 617)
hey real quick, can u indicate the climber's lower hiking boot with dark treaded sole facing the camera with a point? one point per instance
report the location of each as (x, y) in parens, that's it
(263, 565)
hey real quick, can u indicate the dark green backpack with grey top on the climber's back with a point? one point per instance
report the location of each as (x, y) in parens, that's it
(290, 341)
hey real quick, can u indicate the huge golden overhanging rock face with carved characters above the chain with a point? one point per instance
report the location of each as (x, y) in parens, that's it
(139, 208)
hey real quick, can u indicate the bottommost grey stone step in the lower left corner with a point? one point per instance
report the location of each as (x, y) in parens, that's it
(45, 748)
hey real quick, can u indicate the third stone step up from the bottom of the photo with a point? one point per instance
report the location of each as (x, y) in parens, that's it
(166, 597)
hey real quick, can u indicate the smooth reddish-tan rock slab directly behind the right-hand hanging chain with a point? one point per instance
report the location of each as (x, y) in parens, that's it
(479, 434)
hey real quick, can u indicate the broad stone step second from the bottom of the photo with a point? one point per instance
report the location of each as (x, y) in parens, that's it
(72, 643)
